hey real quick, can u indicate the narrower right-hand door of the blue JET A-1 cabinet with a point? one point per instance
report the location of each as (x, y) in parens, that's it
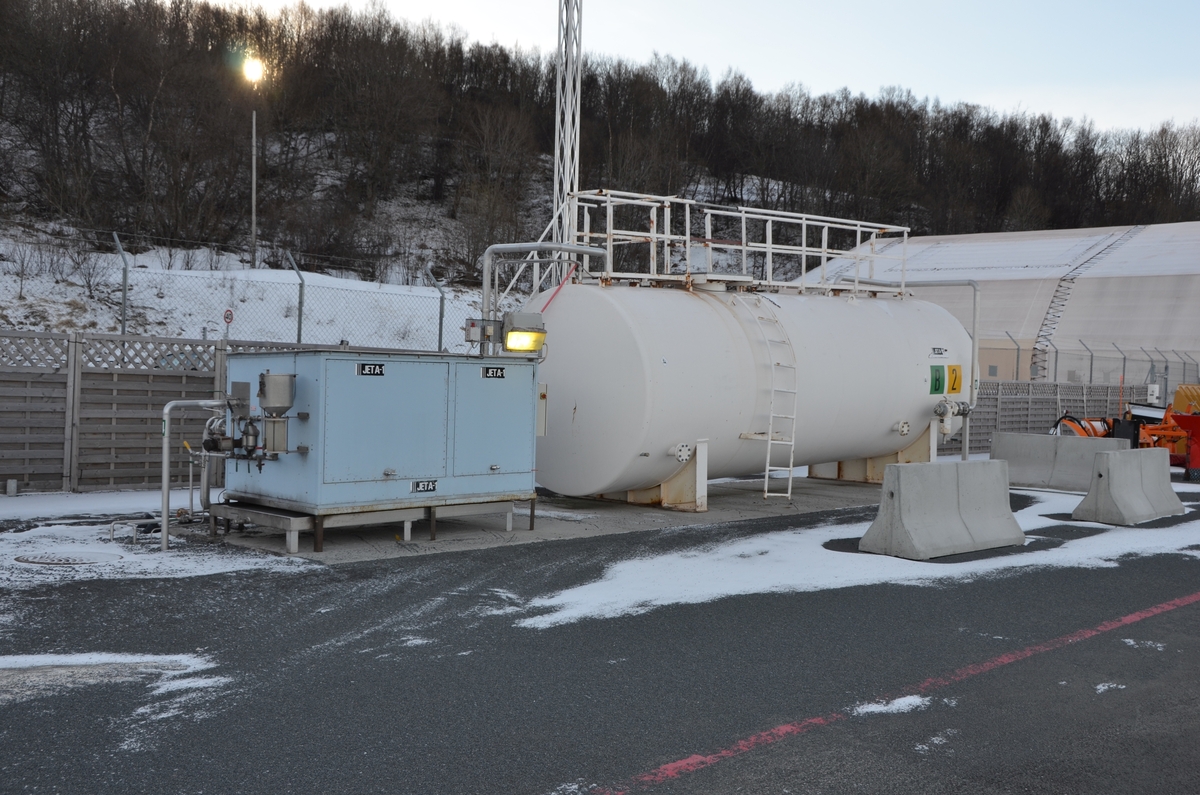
(494, 419)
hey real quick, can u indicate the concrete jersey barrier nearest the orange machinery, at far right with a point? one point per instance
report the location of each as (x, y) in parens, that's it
(1129, 488)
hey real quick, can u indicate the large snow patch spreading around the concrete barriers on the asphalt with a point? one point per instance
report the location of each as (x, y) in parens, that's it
(799, 561)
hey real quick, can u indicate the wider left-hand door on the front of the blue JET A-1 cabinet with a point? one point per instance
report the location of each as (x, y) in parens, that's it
(386, 416)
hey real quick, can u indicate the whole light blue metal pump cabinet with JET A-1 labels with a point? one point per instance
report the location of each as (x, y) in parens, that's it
(388, 433)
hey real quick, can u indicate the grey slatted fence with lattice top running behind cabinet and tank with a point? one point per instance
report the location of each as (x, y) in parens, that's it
(82, 413)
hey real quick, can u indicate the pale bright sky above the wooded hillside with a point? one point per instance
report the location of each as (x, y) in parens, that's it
(1120, 64)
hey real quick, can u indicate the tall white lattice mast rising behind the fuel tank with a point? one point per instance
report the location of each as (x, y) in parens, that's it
(567, 117)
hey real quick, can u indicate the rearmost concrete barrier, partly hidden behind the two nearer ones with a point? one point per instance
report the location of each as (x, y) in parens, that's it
(1045, 462)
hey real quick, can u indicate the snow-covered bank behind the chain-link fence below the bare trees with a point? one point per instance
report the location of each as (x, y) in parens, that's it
(173, 298)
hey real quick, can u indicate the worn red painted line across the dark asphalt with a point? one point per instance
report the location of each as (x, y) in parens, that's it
(699, 762)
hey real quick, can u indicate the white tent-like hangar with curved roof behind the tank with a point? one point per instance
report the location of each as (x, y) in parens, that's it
(1101, 303)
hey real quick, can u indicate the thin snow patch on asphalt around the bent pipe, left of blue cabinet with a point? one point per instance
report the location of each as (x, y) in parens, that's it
(136, 560)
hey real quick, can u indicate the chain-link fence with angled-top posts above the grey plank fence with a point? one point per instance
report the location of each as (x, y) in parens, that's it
(68, 283)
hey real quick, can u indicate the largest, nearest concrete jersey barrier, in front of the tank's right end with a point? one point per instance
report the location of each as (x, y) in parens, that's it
(935, 510)
